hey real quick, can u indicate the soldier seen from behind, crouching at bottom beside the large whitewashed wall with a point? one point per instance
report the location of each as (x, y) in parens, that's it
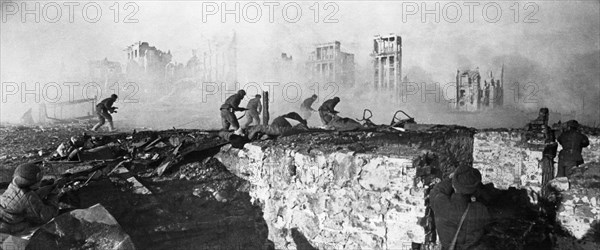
(459, 217)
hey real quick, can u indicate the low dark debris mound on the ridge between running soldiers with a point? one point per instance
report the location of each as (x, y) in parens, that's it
(280, 126)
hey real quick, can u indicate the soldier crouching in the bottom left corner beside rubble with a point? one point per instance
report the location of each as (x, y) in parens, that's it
(21, 205)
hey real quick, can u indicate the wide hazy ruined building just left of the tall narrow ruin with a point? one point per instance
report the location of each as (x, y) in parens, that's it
(327, 63)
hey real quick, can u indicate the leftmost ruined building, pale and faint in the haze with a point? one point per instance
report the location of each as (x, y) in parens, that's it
(143, 59)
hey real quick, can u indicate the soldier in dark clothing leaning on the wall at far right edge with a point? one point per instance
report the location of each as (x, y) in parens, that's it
(572, 142)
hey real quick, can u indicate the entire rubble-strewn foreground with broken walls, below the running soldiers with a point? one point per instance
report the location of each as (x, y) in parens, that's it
(361, 189)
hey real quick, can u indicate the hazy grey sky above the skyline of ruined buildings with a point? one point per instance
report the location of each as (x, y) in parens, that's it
(547, 33)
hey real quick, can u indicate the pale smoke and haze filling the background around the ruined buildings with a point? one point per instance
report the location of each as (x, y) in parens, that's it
(549, 50)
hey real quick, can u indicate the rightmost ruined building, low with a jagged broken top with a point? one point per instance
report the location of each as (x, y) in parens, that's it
(473, 95)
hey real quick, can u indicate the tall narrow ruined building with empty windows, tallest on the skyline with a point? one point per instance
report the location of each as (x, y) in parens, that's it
(387, 61)
